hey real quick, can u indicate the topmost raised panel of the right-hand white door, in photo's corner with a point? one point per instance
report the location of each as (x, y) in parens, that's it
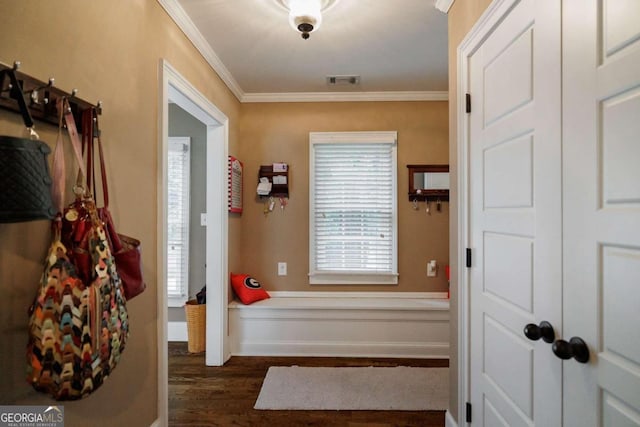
(621, 24)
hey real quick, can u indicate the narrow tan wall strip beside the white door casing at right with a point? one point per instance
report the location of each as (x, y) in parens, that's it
(462, 16)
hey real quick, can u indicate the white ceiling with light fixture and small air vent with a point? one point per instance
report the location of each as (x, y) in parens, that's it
(397, 47)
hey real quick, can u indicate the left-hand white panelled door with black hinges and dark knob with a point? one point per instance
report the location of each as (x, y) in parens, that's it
(515, 217)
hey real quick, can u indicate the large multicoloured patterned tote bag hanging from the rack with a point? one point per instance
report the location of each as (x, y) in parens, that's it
(79, 325)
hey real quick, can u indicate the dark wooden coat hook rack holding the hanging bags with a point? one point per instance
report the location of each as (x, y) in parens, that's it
(39, 96)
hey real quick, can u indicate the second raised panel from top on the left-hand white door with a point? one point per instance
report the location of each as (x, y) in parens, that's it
(508, 174)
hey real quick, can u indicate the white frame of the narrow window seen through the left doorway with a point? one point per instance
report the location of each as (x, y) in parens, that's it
(175, 300)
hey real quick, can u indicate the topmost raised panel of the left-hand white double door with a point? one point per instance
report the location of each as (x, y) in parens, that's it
(508, 79)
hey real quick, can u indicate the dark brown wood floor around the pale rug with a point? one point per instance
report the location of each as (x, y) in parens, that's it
(224, 396)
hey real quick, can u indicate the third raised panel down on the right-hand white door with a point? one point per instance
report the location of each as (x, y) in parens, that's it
(621, 278)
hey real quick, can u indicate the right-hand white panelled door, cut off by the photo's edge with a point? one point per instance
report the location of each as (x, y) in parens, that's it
(601, 174)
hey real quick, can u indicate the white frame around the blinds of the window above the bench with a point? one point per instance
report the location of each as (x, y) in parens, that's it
(343, 277)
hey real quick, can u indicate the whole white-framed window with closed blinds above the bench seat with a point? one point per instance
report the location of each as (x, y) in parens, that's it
(353, 200)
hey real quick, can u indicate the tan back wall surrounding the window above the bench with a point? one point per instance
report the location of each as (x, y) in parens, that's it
(279, 132)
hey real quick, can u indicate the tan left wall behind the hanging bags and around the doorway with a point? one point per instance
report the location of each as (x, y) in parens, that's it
(109, 51)
